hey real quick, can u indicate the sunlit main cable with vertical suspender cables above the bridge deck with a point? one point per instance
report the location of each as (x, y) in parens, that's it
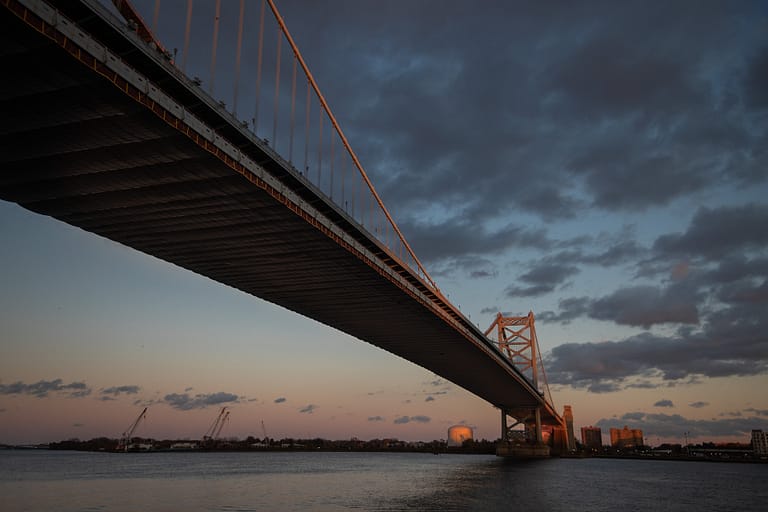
(253, 68)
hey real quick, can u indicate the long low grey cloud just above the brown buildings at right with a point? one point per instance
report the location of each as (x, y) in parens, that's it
(673, 425)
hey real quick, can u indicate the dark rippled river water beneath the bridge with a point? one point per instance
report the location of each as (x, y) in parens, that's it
(41, 480)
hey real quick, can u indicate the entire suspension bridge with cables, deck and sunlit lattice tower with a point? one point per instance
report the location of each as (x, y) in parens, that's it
(245, 177)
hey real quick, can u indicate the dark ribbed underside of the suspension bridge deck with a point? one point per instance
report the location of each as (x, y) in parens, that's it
(75, 147)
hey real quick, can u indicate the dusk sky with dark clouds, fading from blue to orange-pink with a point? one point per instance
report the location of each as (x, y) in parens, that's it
(602, 164)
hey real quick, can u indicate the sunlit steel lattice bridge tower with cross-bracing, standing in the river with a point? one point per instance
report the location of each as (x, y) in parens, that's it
(516, 338)
